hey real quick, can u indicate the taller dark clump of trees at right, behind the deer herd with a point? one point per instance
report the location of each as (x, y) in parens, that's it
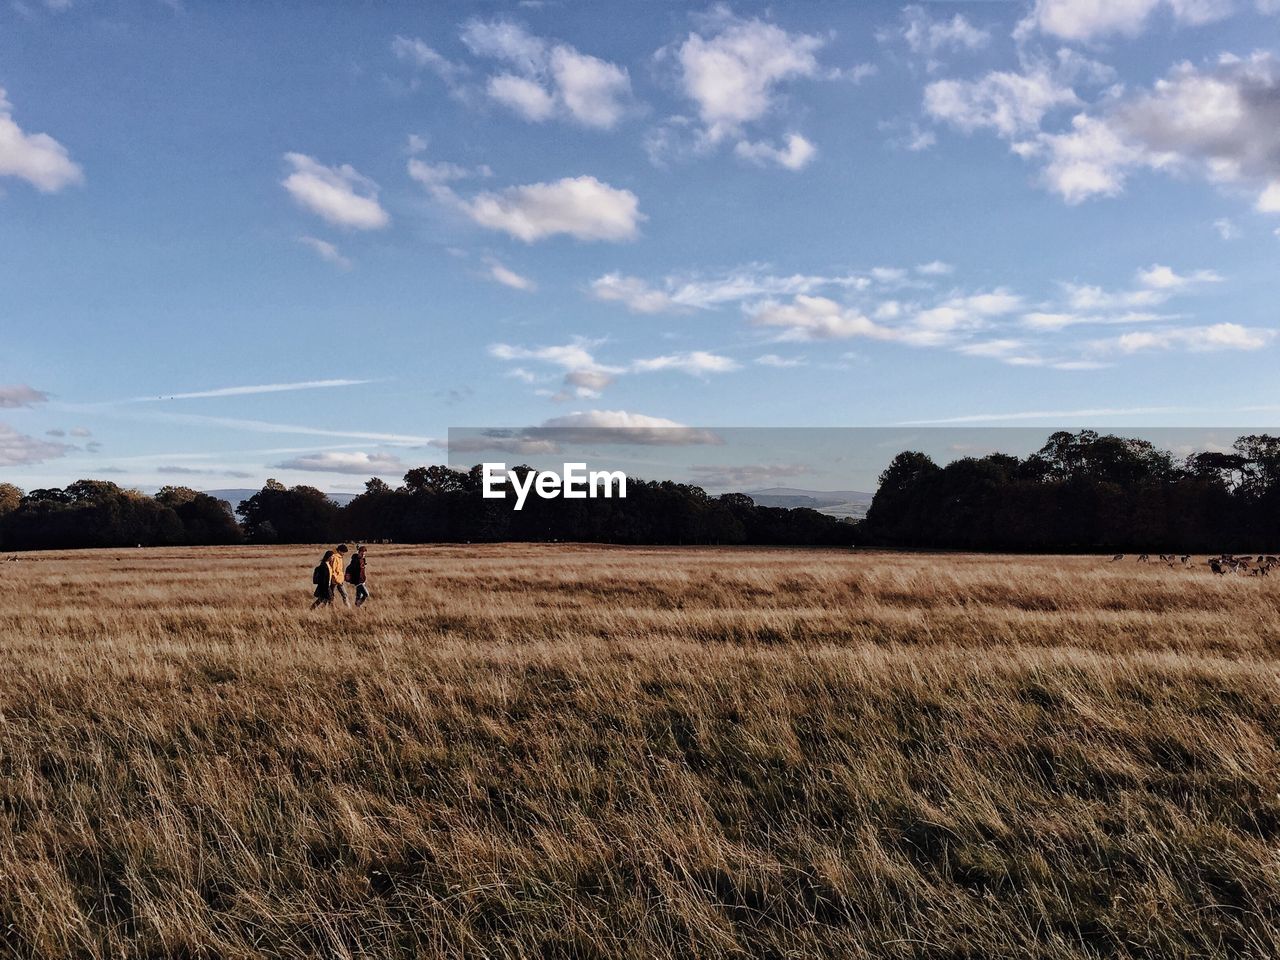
(1085, 492)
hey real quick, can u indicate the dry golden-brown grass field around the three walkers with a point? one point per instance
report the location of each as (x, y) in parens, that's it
(578, 752)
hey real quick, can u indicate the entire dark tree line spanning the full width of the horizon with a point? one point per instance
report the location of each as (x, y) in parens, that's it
(1081, 492)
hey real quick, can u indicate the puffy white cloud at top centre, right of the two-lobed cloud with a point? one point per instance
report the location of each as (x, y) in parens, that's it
(733, 75)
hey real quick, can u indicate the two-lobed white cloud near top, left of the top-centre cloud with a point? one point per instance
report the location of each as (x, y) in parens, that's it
(550, 80)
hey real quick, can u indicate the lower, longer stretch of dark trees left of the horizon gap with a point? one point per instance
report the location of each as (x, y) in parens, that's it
(435, 505)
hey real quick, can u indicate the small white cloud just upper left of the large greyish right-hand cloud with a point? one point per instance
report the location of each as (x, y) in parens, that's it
(1008, 103)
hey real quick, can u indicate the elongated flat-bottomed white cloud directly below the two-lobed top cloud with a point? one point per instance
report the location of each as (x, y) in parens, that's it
(579, 207)
